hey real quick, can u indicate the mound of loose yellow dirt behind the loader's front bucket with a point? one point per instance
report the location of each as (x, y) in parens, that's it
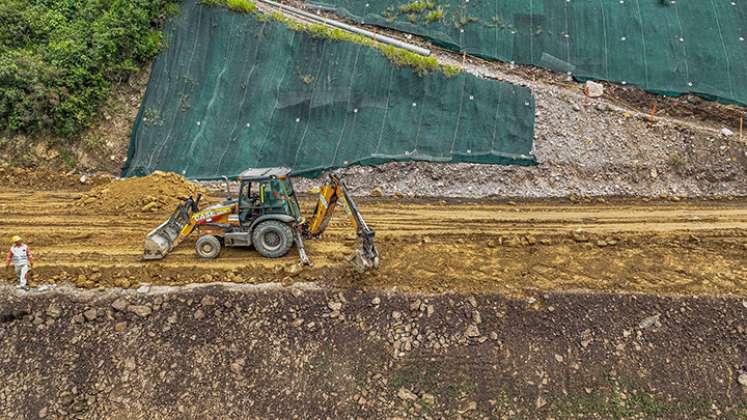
(153, 193)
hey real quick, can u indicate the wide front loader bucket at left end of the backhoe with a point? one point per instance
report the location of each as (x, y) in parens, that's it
(163, 239)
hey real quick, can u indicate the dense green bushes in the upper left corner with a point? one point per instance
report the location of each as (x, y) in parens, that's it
(60, 58)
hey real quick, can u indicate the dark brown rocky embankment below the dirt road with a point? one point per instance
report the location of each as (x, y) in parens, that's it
(237, 351)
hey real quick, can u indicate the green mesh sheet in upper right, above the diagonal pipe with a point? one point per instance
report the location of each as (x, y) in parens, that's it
(664, 46)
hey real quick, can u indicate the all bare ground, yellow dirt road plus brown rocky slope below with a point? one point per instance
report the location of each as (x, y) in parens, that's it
(481, 309)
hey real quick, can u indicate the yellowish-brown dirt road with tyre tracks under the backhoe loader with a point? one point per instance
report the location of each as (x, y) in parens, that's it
(429, 246)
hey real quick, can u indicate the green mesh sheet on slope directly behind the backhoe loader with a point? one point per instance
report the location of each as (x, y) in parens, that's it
(233, 91)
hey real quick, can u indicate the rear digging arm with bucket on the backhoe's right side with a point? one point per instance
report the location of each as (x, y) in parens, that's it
(333, 191)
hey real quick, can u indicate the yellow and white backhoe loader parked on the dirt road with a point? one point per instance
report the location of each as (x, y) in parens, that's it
(265, 215)
